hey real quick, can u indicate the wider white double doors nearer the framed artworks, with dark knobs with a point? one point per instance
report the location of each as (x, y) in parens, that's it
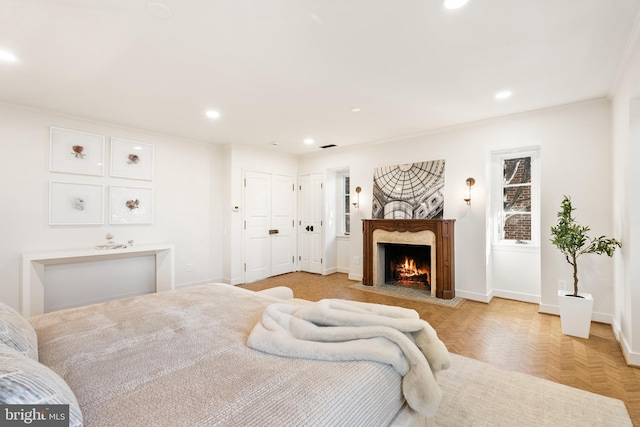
(269, 225)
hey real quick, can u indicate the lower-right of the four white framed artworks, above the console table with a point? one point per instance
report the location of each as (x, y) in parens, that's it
(131, 205)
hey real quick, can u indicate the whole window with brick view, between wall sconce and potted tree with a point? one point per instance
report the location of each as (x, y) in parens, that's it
(516, 197)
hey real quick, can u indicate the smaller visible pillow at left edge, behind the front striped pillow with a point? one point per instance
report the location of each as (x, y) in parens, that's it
(17, 333)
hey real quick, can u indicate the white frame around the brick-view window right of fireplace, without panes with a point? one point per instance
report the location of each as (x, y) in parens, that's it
(497, 213)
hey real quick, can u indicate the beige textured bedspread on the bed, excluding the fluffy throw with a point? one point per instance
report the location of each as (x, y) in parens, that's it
(180, 358)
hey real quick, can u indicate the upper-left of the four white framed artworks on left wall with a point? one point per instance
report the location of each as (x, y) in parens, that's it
(76, 152)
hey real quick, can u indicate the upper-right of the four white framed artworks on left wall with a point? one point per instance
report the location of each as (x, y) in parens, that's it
(131, 159)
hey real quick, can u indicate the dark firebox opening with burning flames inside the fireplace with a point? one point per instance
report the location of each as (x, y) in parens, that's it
(408, 265)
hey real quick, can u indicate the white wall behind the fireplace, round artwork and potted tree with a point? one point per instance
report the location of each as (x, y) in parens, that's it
(575, 160)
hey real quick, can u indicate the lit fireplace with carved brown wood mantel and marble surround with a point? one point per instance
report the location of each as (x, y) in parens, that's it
(429, 243)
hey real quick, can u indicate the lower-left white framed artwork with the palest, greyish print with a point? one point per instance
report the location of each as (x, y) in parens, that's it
(75, 204)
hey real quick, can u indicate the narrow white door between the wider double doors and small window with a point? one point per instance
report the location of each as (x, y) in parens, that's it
(310, 231)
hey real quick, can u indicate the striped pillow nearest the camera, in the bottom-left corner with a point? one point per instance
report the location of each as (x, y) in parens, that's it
(24, 381)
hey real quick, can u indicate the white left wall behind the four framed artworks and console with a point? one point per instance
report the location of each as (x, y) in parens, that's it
(182, 189)
